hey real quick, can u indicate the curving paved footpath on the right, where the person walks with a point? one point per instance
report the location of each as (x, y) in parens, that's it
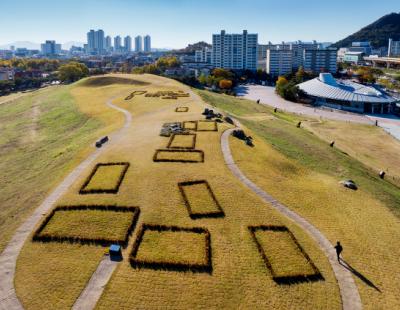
(348, 289)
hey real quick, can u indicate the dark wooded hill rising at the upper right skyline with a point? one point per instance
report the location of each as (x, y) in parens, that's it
(378, 33)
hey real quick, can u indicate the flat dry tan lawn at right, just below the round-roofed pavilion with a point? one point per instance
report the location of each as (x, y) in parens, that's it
(369, 144)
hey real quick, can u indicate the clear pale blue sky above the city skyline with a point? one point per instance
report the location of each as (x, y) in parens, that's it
(175, 23)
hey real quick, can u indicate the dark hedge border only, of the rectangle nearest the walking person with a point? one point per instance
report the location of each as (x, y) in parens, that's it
(300, 278)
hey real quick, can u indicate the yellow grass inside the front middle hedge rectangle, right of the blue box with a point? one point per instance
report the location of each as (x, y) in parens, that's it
(180, 247)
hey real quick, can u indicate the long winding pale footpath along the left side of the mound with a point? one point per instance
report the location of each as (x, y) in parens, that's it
(8, 258)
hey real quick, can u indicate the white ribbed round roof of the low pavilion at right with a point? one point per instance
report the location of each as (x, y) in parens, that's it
(326, 86)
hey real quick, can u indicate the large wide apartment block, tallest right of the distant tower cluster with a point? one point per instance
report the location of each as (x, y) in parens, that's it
(235, 51)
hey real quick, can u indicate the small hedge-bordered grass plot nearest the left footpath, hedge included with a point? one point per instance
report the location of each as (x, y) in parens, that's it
(105, 178)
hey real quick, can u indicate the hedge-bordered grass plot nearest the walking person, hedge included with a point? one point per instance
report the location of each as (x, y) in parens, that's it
(283, 255)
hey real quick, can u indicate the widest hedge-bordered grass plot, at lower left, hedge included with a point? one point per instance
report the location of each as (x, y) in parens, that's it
(88, 224)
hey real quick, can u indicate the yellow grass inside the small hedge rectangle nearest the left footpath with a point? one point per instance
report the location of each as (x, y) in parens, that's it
(105, 178)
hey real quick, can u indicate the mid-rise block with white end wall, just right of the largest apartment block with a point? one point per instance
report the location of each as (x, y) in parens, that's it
(279, 62)
